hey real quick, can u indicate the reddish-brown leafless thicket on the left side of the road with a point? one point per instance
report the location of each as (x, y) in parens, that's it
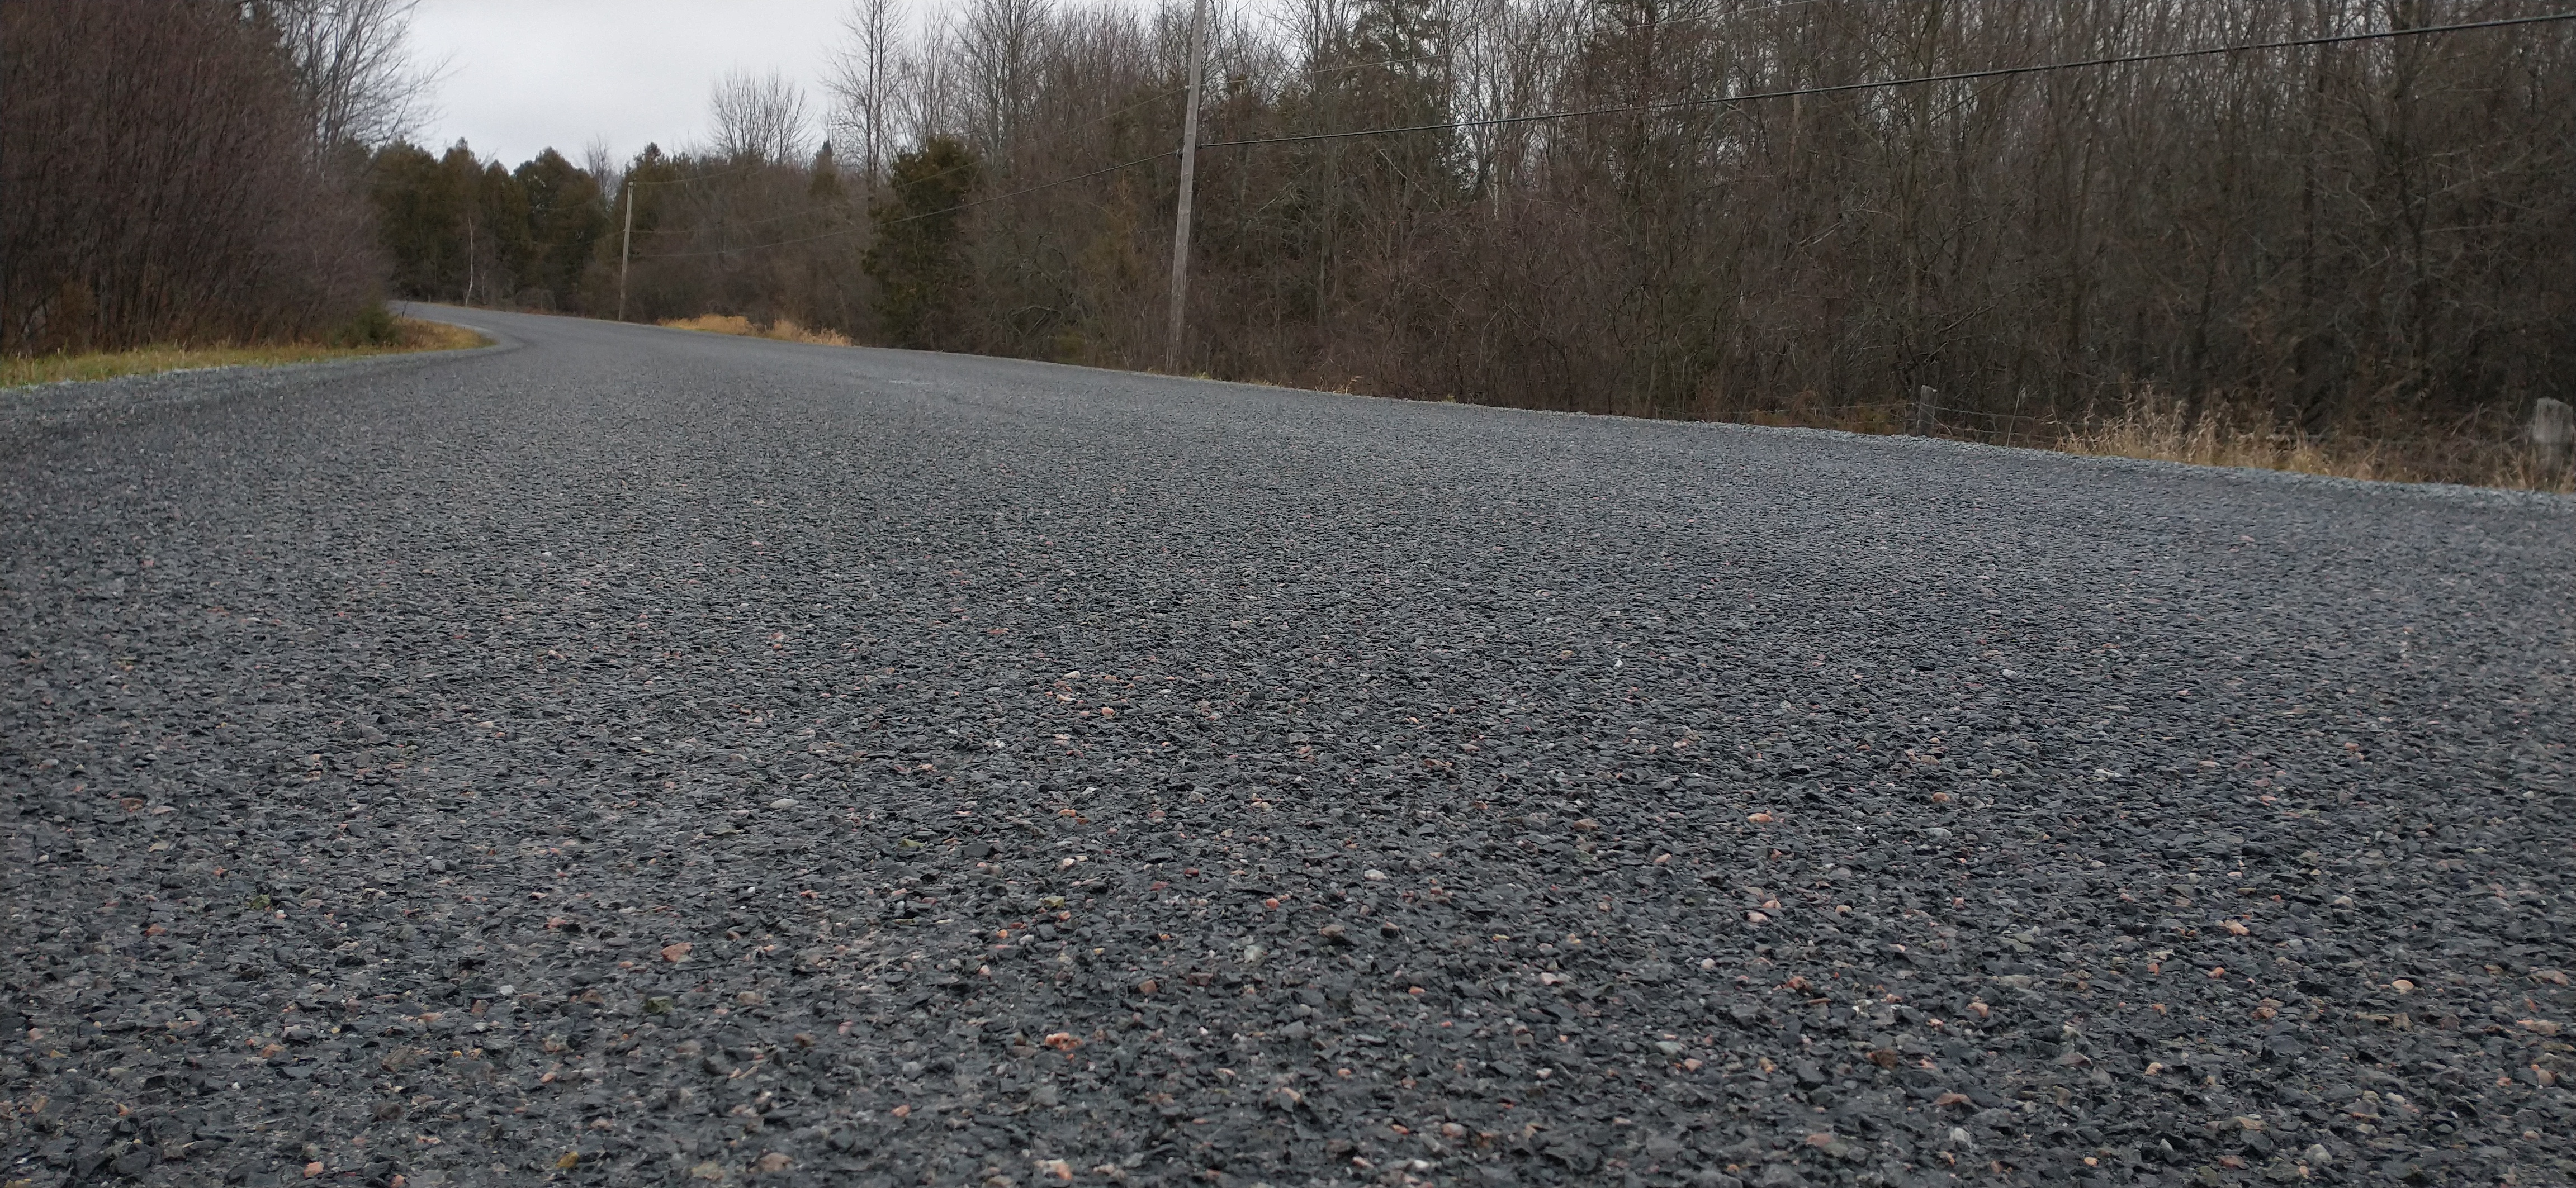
(184, 171)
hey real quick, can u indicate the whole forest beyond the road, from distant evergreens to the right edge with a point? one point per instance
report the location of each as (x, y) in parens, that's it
(2351, 251)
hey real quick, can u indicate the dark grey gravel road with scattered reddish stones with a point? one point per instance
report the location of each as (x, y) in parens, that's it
(630, 756)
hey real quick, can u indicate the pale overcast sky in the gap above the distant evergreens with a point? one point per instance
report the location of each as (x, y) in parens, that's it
(560, 73)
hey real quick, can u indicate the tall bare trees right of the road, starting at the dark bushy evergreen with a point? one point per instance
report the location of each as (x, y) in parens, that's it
(2345, 238)
